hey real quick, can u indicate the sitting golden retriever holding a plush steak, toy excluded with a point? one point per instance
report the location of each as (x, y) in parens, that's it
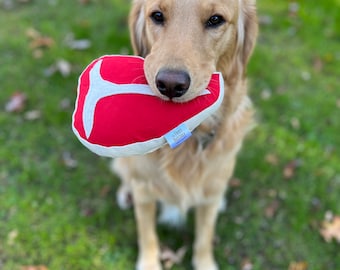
(184, 42)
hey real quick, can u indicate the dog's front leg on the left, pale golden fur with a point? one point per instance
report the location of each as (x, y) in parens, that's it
(145, 212)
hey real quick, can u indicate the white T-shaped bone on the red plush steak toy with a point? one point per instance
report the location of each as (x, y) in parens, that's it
(100, 88)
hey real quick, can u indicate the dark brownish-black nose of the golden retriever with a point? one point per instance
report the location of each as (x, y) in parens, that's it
(172, 83)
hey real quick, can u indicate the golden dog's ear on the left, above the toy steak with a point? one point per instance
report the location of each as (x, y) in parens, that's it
(137, 28)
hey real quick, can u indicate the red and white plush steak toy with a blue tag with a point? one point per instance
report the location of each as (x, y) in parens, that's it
(117, 114)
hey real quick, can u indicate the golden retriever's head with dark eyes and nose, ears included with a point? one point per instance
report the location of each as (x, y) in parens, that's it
(184, 42)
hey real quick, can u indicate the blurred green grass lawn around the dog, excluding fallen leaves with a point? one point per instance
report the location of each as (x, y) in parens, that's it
(67, 218)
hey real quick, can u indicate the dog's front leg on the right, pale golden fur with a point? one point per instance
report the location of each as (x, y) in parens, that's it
(205, 218)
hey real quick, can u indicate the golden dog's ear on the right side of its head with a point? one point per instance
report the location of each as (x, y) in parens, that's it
(247, 29)
